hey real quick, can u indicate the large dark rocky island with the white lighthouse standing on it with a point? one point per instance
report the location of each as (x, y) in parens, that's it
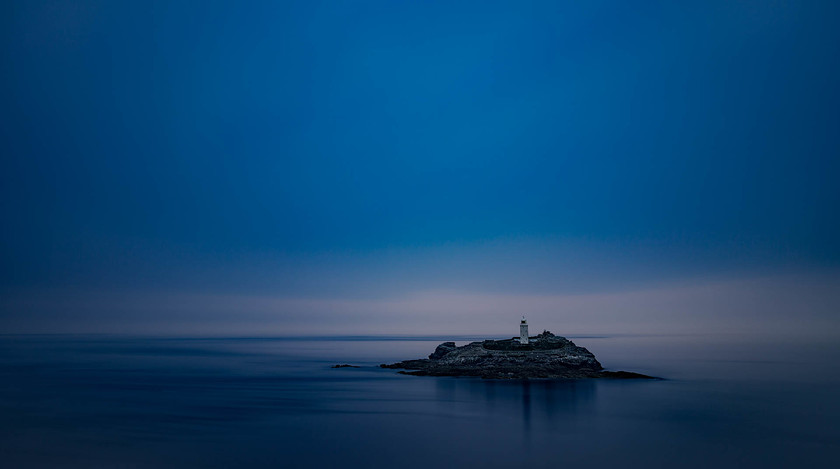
(546, 356)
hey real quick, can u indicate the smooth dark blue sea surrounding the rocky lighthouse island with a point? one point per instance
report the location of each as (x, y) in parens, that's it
(70, 401)
